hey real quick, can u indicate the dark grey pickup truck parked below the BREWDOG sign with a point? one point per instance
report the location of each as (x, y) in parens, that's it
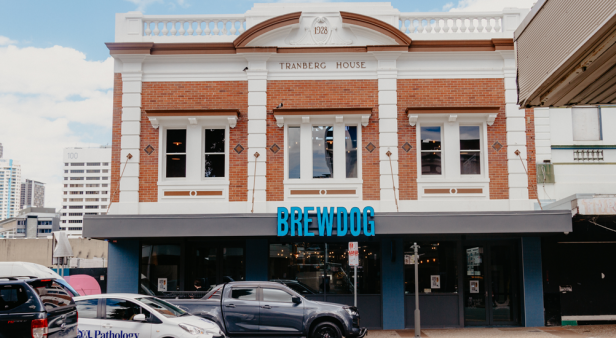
(269, 309)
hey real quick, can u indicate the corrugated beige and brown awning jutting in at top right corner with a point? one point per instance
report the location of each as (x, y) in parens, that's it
(566, 54)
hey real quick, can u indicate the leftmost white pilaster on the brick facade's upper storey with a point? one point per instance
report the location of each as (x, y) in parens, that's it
(130, 131)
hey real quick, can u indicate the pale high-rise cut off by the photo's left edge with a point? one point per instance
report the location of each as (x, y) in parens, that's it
(10, 189)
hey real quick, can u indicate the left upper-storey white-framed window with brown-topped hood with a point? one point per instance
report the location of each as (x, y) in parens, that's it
(194, 152)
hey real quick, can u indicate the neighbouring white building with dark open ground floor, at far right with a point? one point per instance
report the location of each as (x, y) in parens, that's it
(576, 161)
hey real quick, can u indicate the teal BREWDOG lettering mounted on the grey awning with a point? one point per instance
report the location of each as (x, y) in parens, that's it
(296, 222)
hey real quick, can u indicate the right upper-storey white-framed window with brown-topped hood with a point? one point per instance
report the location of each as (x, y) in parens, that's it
(452, 143)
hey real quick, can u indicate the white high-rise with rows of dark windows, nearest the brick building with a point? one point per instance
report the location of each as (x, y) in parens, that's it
(87, 173)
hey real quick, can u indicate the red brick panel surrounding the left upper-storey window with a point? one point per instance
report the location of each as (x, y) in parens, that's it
(194, 95)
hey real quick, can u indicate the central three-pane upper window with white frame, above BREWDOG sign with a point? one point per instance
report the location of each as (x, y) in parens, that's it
(322, 151)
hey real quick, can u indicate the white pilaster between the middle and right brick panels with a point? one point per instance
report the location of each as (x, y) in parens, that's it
(388, 129)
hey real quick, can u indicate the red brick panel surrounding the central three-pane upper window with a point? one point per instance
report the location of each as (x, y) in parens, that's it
(322, 94)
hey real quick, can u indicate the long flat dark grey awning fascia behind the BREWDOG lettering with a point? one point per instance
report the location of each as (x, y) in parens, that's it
(255, 225)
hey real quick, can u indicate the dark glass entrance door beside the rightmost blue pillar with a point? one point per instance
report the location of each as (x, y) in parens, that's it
(490, 285)
